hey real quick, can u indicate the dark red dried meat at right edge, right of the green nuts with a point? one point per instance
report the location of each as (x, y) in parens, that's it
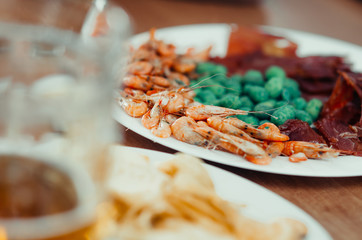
(341, 120)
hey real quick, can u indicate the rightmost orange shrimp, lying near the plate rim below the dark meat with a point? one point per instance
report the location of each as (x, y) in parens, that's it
(311, 150)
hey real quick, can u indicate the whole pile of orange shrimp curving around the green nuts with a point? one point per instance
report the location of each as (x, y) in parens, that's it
(156, 90)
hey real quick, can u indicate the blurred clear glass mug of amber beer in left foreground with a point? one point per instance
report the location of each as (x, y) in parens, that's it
(59, 63)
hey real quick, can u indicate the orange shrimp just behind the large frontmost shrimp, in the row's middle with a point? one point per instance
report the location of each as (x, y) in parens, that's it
(219, 124)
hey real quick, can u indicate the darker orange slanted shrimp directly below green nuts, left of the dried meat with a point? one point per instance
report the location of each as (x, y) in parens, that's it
(263, 134)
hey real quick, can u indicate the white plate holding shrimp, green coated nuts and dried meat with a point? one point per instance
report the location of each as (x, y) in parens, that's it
(201, 36)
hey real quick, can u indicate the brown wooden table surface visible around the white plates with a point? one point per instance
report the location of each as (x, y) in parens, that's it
(334, 202)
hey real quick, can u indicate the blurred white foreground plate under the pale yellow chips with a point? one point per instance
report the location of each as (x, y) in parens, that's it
(261, 204)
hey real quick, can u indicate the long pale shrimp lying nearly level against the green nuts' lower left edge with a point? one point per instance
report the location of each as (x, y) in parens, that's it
(203, 112)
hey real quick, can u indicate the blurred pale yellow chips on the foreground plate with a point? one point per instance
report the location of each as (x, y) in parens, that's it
(177, 200)
